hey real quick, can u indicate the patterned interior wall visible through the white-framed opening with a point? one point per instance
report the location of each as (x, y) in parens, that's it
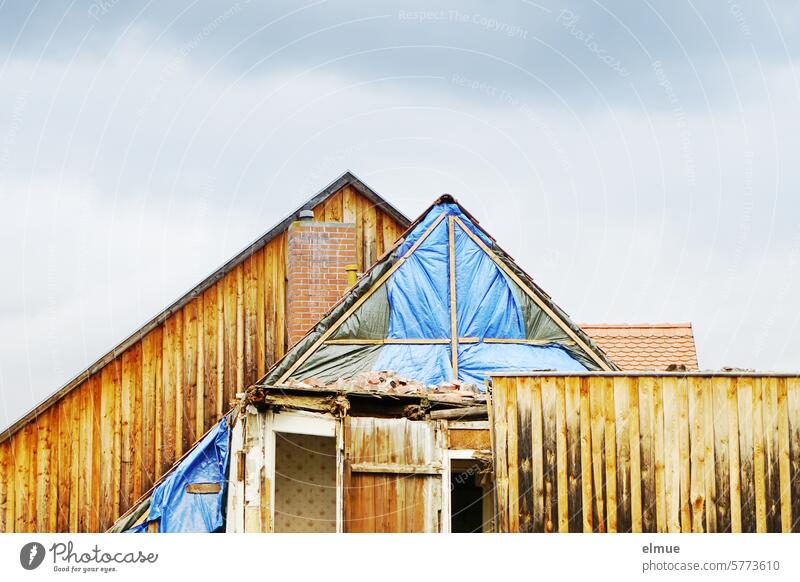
(305, 484)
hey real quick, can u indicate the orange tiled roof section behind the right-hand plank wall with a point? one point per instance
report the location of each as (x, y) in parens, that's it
(646, 346)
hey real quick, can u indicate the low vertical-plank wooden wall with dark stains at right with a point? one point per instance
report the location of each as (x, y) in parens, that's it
(647, 453)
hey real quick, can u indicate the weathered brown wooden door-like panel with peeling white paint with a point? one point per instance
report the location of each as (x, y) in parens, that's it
(393, 475)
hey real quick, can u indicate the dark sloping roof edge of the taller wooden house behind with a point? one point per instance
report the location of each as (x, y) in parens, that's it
(346, 179)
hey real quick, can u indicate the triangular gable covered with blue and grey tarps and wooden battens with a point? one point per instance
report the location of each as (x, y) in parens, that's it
(446, 304)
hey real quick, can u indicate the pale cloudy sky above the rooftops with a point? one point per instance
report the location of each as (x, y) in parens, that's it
(639, 160)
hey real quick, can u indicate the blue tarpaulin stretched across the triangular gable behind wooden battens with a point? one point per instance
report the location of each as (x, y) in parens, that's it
(486, 307)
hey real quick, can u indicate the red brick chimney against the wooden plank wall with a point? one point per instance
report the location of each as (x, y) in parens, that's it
(319, 254)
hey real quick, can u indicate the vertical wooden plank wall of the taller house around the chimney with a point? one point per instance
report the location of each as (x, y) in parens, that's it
(86, 458)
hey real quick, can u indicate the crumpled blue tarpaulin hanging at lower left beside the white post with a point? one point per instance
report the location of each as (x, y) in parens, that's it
(181, 512)
